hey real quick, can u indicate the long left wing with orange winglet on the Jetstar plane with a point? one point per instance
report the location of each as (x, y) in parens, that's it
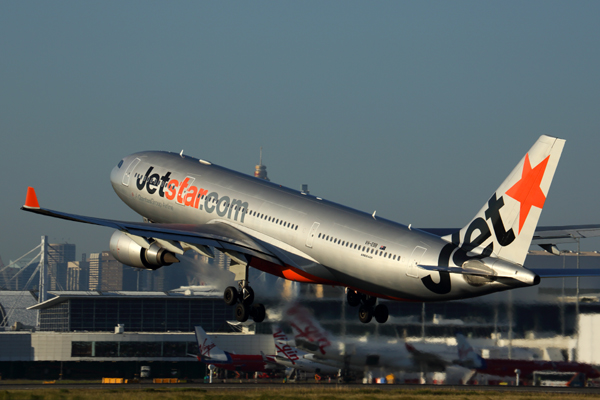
(176, 237)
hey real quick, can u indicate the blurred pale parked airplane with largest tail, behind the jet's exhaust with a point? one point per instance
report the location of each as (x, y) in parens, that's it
(356, 355)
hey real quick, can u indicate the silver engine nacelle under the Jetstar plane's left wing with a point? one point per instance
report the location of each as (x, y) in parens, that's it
(127, 251)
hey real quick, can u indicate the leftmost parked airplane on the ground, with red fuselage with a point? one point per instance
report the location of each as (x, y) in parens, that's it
(210, 354)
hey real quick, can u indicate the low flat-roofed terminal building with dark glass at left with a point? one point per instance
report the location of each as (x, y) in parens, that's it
(95, 334)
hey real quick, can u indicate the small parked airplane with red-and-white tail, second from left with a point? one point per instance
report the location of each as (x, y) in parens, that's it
(291, 357)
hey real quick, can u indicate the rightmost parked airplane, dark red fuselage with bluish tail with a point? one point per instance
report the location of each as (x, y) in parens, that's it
(468, 358)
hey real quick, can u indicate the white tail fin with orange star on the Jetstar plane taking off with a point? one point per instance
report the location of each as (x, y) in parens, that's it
(510, 216)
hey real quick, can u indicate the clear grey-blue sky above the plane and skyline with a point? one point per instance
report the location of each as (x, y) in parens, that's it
(415, 109)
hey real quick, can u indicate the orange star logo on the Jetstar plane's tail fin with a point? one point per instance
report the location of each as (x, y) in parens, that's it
(527, 191)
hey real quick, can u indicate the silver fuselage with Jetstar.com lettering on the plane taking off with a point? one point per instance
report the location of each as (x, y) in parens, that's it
(325, 242)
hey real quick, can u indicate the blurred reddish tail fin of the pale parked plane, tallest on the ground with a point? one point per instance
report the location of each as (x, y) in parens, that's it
(308, 333)
